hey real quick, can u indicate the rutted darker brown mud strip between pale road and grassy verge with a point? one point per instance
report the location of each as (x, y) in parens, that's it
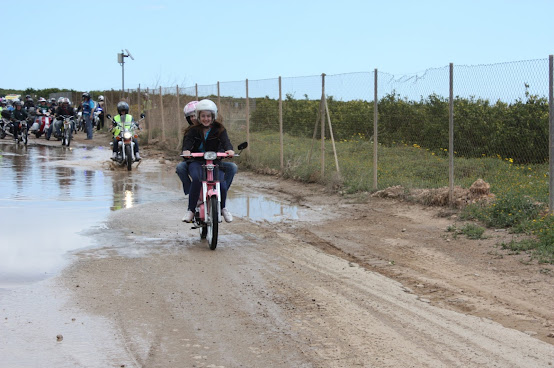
(414, 268)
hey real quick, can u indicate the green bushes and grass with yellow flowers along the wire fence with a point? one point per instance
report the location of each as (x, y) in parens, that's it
(518, 177)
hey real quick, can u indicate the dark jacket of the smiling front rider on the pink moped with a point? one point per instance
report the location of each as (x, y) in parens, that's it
(217, 139)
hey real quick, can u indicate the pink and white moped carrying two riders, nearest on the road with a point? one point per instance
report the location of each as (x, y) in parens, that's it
(207, 215)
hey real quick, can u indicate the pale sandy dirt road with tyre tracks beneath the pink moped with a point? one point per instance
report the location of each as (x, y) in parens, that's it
(356, 281)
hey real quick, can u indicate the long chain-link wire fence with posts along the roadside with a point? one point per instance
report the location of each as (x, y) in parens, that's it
(500, 125)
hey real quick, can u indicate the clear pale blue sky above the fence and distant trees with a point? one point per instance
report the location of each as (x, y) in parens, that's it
(70, 44)
